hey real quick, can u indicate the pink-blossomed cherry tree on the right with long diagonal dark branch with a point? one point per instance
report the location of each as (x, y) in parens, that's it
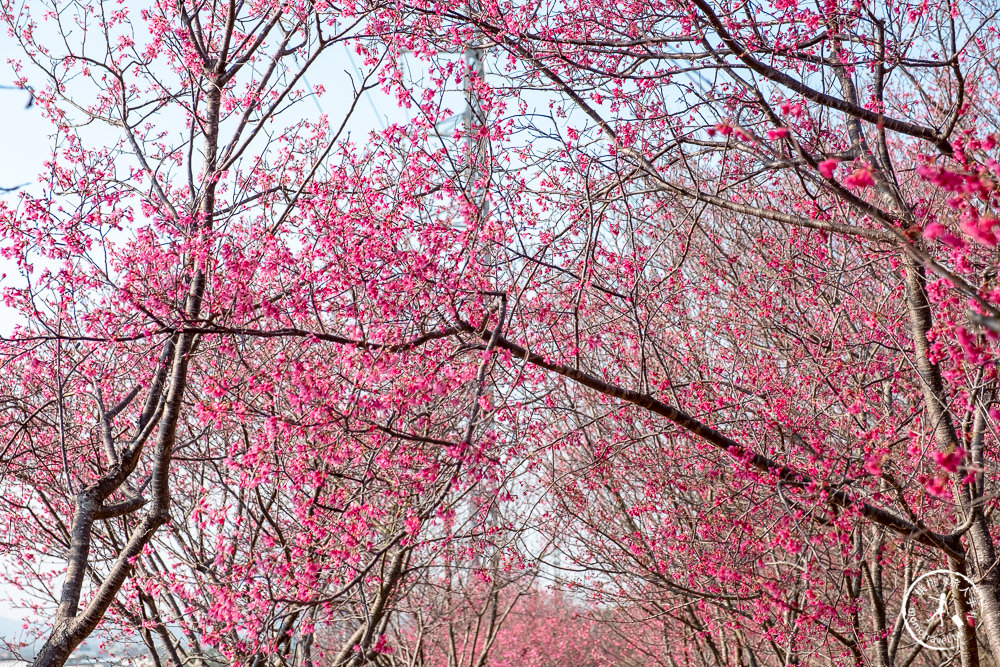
(773, 270)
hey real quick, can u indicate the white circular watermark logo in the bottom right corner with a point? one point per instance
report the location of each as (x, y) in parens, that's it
(931, 610)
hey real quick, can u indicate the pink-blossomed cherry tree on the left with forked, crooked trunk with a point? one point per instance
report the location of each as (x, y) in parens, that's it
(186, 488)
